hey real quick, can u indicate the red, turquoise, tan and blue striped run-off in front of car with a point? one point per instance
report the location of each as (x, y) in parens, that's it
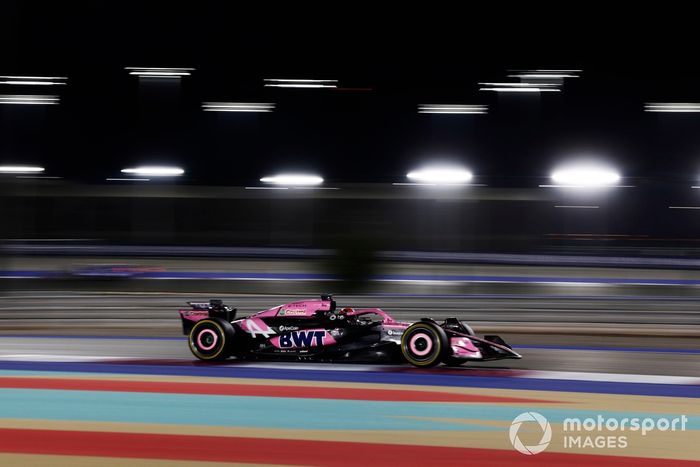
(91, 410)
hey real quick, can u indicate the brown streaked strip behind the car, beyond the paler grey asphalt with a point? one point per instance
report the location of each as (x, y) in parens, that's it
(49, 308)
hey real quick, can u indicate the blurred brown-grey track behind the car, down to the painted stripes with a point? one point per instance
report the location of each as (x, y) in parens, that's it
(155, 316)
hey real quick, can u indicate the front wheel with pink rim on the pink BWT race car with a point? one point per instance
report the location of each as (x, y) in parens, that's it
(424, 344)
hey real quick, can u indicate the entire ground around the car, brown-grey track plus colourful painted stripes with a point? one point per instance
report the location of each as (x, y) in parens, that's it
(116, 398)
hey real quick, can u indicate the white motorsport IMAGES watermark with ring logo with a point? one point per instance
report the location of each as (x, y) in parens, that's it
(579, 433)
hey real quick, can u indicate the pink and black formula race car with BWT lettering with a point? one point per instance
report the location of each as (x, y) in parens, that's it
(316, 330)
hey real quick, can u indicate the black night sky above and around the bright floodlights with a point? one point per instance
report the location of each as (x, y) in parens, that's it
(107, 120)
